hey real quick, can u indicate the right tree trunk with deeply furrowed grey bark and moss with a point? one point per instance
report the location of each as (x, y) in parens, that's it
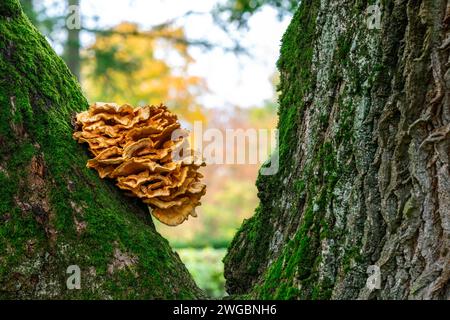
(364, 126)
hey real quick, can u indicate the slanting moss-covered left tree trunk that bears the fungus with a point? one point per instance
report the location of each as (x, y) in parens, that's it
(54, 212)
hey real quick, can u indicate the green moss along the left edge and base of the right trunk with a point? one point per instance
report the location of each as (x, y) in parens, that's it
(299, 256)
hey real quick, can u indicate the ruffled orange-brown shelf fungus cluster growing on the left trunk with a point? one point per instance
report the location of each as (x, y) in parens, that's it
(147, 153)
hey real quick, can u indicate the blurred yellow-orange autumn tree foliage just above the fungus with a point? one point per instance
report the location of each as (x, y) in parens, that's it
(123, 66)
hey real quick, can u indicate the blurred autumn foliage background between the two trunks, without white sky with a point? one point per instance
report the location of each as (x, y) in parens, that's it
(127, 64)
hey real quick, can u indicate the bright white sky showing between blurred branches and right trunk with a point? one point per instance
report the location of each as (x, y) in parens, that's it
(242, 81)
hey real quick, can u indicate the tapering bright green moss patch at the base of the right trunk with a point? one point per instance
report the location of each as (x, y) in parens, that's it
(301, 256)
